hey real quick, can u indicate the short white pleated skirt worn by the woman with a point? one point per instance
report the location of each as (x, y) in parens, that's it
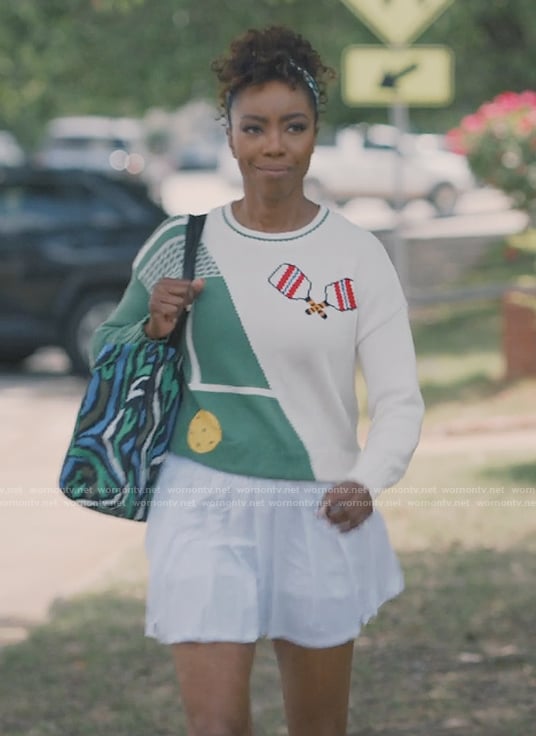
(235, 558)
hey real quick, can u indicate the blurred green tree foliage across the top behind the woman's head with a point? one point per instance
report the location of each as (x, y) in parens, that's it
(125, 56)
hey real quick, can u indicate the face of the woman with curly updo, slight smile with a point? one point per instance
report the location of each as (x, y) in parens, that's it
(272, 135)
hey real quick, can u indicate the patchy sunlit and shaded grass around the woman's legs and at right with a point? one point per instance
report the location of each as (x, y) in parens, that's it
(455, 654)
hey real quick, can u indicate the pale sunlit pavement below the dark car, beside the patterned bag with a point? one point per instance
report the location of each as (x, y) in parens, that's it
(49, 547)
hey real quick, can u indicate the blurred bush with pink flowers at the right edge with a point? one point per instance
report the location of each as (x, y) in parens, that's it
(499, 140)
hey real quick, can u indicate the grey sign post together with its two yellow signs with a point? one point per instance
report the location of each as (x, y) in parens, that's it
(398, 76)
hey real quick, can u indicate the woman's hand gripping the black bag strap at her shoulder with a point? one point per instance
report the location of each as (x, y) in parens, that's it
(168, 300)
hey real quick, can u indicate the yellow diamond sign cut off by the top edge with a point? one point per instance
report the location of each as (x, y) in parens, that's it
(397, 21)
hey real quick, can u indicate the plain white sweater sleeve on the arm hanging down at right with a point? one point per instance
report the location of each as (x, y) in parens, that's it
(396, 407)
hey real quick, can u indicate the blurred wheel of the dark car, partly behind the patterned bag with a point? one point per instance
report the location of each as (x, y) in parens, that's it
(92, 311)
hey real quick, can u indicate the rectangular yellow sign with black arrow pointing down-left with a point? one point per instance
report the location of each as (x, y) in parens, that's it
(421, 76)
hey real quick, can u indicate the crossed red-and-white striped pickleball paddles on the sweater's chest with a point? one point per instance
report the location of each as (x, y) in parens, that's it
(290, 281)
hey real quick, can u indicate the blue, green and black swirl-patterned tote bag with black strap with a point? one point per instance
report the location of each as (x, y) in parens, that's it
(127, 418)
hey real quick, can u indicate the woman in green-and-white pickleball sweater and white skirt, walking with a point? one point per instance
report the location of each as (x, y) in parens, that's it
(263, 524)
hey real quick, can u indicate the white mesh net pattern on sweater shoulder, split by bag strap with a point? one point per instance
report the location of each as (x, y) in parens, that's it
(167, 262)
